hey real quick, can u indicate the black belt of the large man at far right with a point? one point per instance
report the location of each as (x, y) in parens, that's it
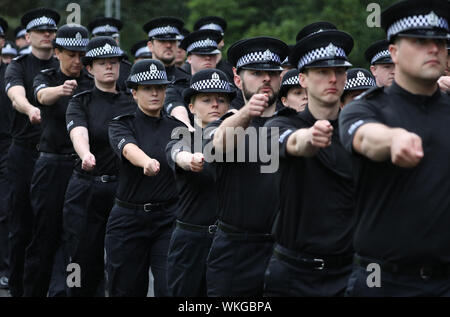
(425, 271)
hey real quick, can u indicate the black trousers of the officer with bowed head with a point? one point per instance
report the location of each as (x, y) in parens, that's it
(48, 188)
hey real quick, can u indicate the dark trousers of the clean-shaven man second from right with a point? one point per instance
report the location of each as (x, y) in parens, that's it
(288, 280)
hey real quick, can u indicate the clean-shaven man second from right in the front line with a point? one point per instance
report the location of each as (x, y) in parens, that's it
(313, 251)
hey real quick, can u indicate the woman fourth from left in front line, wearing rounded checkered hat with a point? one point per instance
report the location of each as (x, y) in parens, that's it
(141, 221)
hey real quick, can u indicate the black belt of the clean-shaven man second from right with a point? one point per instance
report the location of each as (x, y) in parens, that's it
(309, 261)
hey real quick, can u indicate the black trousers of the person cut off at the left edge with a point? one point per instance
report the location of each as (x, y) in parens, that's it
(5, 193)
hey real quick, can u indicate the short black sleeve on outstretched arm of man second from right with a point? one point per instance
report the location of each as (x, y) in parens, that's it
(280, 128)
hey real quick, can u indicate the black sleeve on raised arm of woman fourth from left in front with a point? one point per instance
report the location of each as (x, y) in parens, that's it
(121, 133)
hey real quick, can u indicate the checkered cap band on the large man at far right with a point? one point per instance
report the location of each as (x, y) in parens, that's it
(417, 21)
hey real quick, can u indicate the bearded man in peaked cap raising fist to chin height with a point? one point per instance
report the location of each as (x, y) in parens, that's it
(245, 220)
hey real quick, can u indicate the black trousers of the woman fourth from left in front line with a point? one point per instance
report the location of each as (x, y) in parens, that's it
(136, 241)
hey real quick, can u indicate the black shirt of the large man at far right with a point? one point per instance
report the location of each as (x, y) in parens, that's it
(403, 213)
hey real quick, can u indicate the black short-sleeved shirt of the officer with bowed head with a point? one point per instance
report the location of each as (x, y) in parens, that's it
(54, 136)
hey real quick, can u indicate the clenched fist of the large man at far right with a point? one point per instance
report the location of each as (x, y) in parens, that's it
(406, 149)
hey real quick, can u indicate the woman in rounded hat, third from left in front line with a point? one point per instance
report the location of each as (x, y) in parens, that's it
(91, 189)
